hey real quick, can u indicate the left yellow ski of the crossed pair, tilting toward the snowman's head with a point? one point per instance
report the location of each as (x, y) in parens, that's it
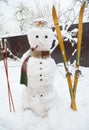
(61, 43)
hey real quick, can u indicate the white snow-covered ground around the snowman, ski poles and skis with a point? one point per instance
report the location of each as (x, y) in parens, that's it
(68, 119)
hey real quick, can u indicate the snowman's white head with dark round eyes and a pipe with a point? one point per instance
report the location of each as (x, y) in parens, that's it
(41, 39)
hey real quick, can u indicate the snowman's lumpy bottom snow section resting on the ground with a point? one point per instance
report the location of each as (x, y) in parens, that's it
(40, 104)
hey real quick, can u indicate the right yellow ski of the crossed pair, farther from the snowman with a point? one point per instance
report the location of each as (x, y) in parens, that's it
(80, 28)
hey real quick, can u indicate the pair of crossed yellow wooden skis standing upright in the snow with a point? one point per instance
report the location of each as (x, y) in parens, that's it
(61, 43)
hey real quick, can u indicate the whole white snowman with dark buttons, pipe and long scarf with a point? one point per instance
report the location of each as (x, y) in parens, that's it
(40, 94)
